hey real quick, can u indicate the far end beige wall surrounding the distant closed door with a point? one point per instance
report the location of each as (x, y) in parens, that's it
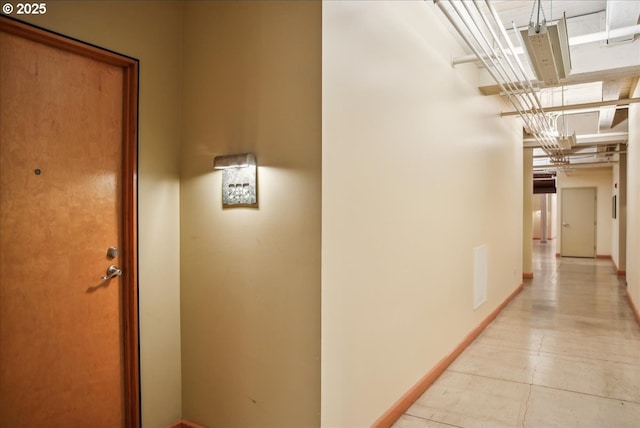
(602, 180)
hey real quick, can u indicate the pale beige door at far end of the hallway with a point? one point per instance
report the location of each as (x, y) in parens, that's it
(578, 212)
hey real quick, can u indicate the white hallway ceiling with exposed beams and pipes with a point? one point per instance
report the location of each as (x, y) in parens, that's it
(603, 68)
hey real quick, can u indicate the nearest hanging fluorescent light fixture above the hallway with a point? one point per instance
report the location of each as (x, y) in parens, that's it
(548, 50)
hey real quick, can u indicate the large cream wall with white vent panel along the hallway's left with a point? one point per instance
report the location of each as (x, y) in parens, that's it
(418, 170)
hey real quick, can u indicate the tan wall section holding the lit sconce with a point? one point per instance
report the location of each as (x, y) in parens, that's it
(251, 277)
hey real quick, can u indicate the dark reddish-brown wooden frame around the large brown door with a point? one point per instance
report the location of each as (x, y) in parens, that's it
(129, 257)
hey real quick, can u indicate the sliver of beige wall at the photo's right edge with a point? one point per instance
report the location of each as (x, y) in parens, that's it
(633, 201)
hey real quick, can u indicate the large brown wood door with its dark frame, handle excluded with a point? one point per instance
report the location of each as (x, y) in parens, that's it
(67, 163)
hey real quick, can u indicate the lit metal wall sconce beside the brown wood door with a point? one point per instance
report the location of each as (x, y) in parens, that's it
(239, 184)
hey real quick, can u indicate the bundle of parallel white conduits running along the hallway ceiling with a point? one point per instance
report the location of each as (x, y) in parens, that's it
(485, 42)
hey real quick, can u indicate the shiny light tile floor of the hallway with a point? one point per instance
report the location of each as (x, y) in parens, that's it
(564, 353)
